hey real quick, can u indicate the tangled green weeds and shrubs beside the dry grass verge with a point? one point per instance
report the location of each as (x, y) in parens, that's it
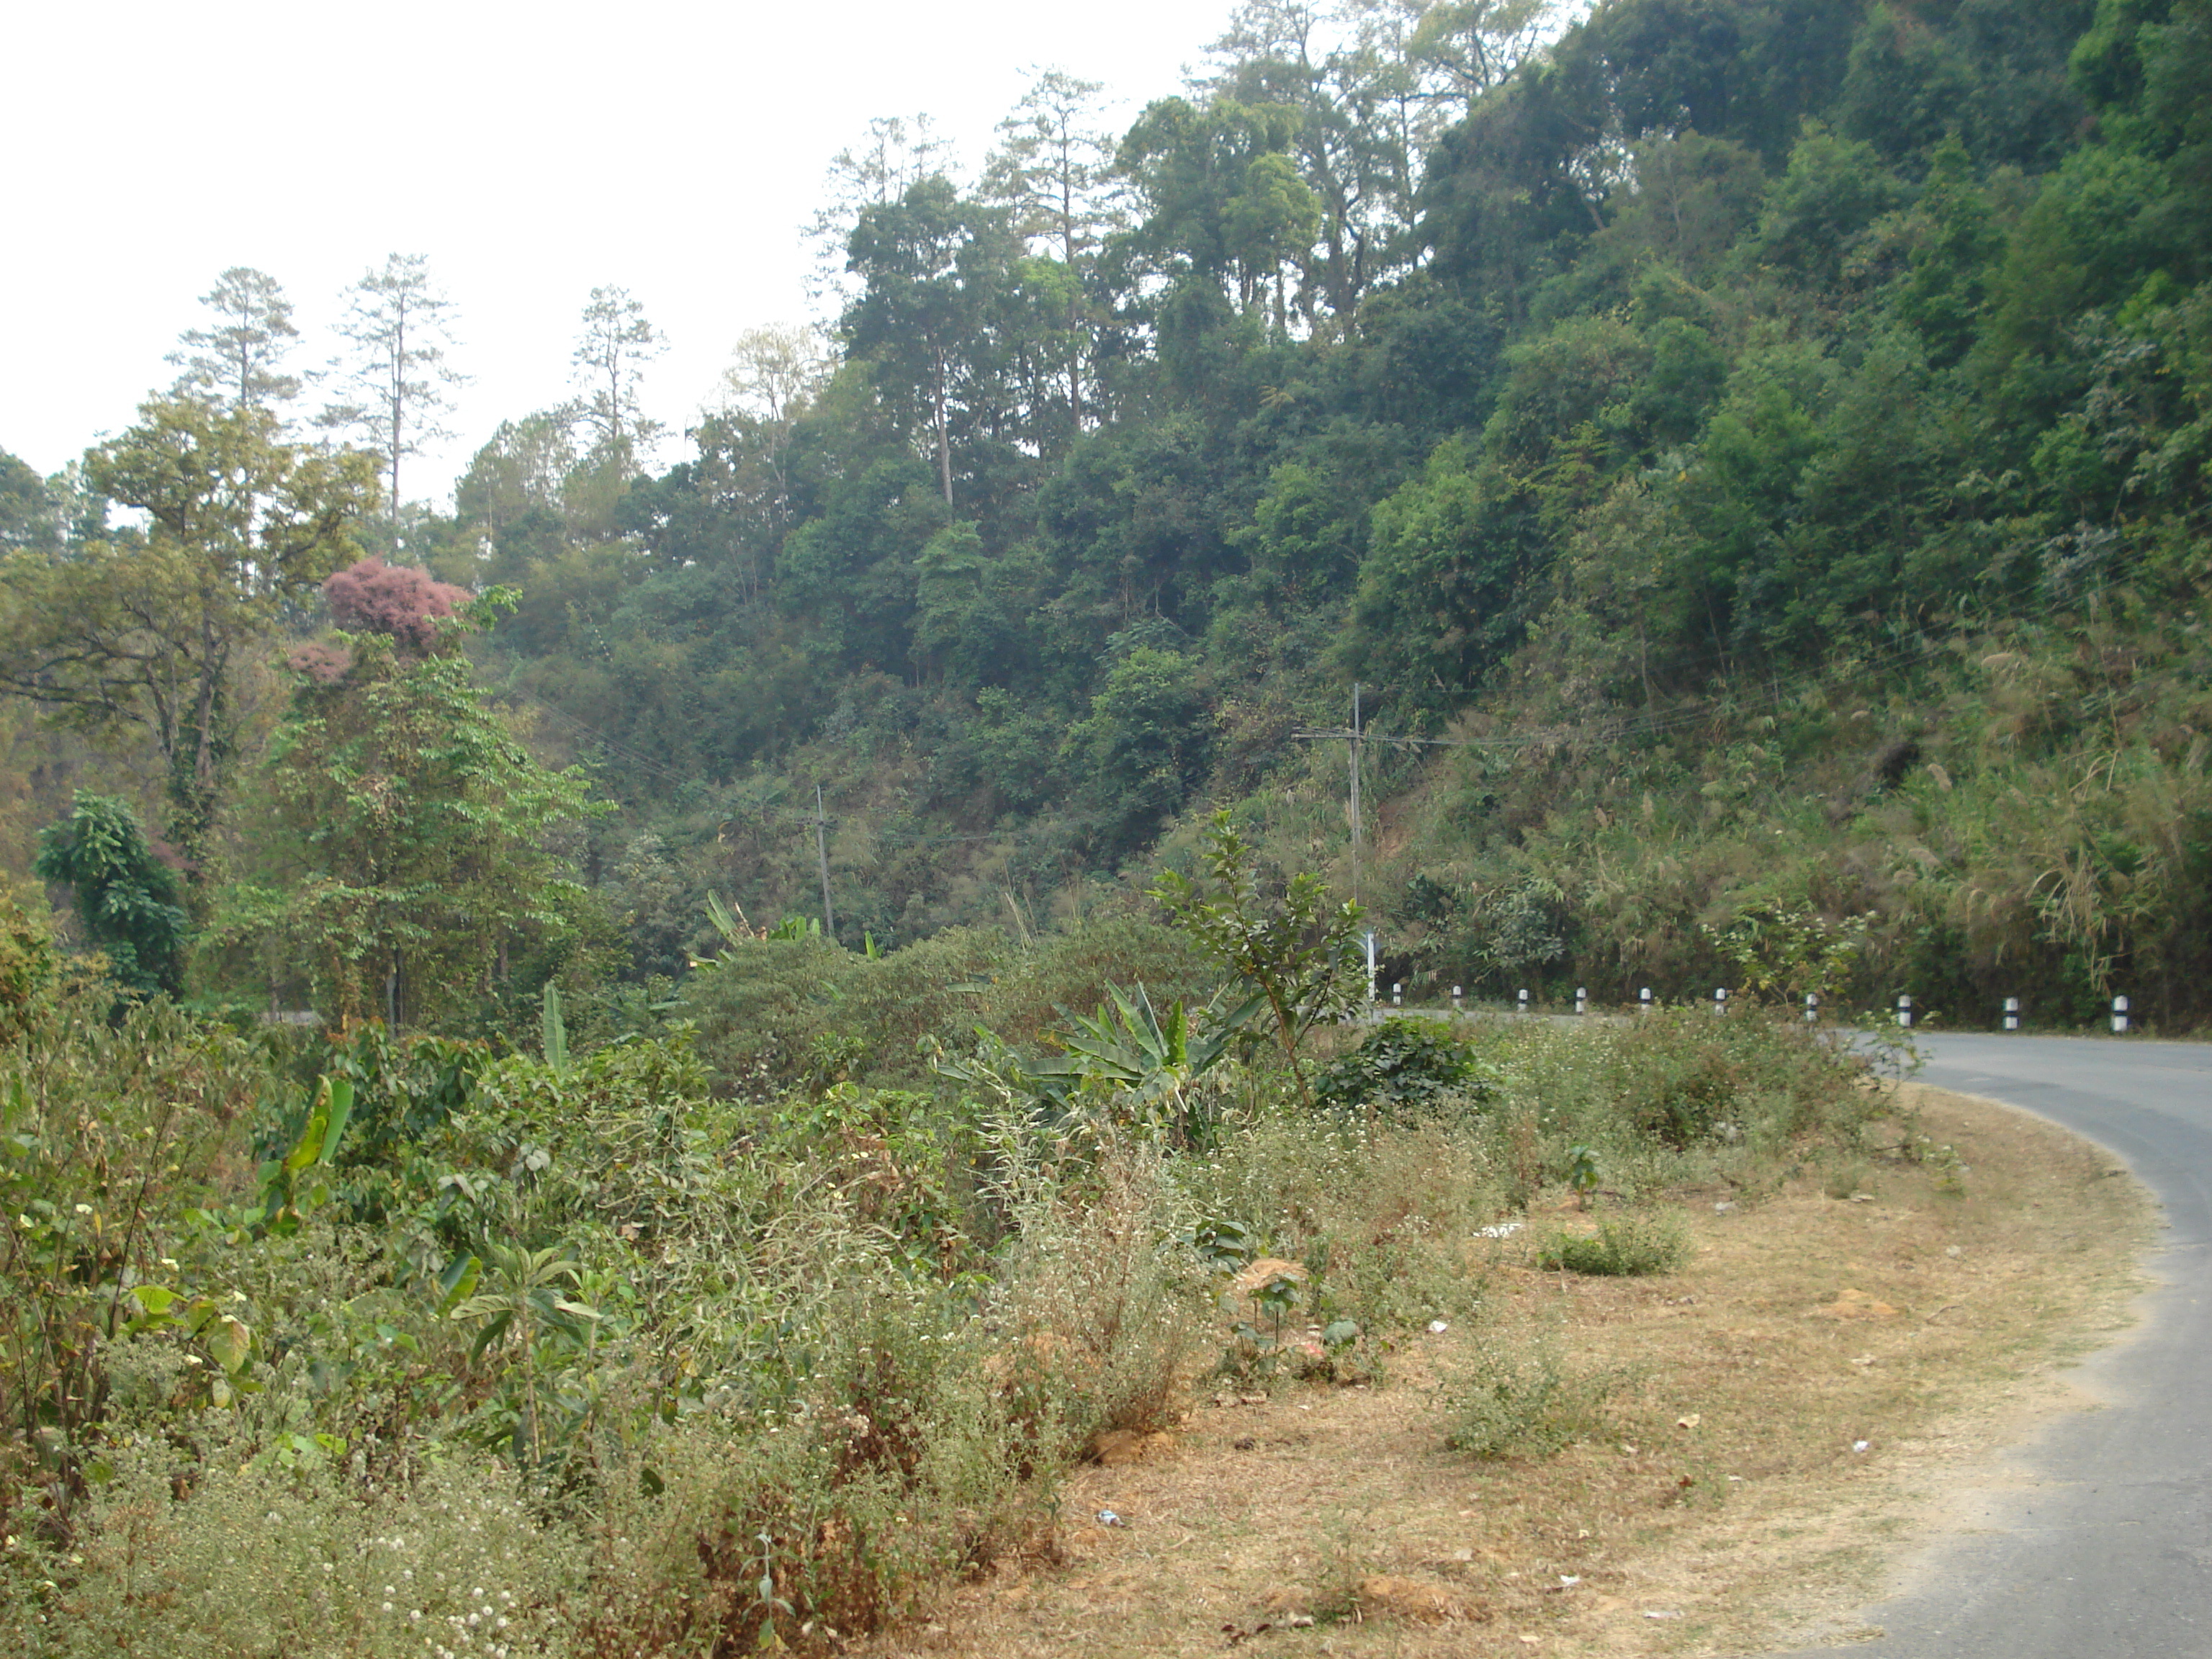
(401, 1346)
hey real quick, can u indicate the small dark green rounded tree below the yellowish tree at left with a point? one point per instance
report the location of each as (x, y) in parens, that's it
(127, 899)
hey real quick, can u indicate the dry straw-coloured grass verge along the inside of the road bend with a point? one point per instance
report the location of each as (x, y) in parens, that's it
(1724, 1505)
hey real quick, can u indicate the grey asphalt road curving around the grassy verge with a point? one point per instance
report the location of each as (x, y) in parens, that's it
(2098, 1541)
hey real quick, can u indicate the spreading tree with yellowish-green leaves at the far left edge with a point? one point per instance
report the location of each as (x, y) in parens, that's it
(156, 632)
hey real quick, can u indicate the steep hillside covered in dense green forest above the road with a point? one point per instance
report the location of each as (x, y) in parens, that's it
(1749, 455)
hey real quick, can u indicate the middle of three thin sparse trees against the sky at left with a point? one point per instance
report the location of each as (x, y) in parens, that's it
(395, 384)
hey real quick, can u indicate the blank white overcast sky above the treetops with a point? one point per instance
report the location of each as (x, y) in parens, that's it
(532, 152)
